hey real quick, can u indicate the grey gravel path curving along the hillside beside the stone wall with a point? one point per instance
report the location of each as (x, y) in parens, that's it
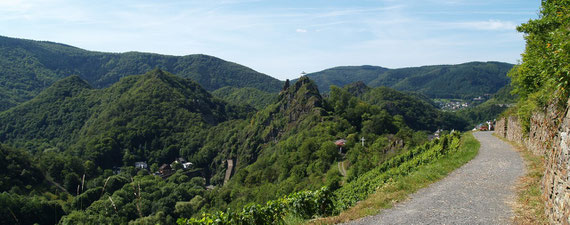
(477, 193)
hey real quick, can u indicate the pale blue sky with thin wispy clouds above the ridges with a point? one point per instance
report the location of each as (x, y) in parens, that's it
(283, 38)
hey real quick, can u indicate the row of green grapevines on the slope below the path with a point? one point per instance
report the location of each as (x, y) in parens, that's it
(324, 202)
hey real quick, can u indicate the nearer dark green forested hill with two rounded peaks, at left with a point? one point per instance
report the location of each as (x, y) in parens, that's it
(157, 111)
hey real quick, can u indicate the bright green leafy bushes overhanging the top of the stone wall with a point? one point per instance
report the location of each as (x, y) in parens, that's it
(543, 77)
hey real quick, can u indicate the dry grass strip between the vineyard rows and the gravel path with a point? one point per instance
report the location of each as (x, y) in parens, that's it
(398, 189)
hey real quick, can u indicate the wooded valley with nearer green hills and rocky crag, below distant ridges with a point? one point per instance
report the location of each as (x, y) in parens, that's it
(169, 141)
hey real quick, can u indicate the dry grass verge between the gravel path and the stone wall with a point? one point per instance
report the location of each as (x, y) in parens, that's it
(529, 206)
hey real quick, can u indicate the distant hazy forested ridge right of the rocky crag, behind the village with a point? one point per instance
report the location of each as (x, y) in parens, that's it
(442, 81)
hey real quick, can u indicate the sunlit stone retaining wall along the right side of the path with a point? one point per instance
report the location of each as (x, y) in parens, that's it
(549, 135)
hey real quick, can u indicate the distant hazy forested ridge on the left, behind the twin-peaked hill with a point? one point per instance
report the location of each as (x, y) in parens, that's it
(27, 67)
